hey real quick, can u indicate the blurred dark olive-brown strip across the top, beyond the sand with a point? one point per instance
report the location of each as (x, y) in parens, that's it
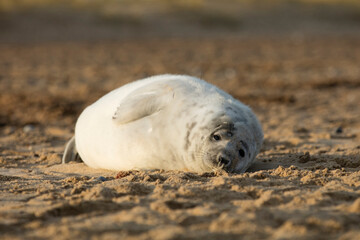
(88, 20)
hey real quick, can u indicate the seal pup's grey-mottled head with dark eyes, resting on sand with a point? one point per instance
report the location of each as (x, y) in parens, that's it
(232, 143)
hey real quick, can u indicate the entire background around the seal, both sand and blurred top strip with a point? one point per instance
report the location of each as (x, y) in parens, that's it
(296, 63)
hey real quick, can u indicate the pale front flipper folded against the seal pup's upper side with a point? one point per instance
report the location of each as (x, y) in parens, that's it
(144, 102)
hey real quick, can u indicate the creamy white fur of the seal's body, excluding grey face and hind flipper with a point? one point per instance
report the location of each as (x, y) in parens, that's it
(142, 125)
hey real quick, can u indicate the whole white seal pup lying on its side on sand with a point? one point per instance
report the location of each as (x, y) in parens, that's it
(170, 122)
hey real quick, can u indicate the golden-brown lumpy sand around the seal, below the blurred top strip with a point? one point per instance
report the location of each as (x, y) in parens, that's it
(305, 184)
